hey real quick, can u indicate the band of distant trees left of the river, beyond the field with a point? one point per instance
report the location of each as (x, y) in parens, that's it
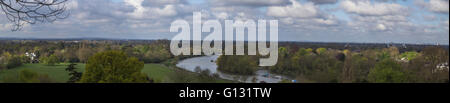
(15, 52)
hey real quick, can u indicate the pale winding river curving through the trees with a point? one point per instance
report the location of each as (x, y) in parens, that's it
(208, 62)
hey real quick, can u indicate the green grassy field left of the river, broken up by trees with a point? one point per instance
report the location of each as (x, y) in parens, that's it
(159, 73)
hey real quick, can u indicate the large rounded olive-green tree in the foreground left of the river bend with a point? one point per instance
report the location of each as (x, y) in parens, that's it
(113, 67)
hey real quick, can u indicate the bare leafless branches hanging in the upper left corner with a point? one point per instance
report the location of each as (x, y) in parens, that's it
(21, 12)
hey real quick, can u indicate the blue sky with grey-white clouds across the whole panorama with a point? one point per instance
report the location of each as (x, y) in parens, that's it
(400, 21)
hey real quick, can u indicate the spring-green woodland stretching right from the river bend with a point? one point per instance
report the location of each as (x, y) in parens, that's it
(373, 65)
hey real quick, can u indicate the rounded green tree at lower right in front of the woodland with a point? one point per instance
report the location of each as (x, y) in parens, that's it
(387, 71)
